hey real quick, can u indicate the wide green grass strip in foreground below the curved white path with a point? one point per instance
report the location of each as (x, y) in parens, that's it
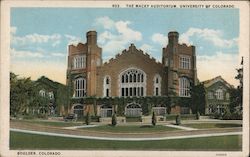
(31, 141)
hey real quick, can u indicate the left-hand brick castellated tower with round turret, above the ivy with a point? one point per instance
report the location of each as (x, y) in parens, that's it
(83, 60)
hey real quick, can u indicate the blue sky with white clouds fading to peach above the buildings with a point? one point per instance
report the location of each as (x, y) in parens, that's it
(40, 37)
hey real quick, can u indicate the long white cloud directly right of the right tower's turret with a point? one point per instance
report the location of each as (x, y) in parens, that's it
(211, 35)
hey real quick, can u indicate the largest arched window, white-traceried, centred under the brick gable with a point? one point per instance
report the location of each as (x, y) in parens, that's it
(132, 82)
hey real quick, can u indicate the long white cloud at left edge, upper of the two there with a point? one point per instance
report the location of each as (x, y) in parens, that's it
(54, 39)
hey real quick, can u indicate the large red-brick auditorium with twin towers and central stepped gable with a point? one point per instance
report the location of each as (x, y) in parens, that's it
(131, 73)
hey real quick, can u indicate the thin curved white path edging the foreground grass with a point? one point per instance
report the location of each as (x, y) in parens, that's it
(125, 139)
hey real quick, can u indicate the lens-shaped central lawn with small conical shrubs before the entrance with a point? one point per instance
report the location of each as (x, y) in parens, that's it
(131, 128)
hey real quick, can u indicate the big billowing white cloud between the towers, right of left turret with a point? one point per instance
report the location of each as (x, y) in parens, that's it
(117, 35)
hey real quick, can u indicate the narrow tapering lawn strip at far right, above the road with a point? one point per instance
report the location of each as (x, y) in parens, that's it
(212, 125)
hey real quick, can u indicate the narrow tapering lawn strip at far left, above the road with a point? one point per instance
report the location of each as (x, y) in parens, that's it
(48, 123)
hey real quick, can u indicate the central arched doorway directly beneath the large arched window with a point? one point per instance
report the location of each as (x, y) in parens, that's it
(133, 110)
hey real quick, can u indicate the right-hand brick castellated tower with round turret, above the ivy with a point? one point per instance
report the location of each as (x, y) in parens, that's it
(180, 63)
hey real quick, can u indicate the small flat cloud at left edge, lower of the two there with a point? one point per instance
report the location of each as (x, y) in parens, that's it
(25, 54)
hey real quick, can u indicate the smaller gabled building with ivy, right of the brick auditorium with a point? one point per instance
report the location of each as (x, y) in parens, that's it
(217, 95)
